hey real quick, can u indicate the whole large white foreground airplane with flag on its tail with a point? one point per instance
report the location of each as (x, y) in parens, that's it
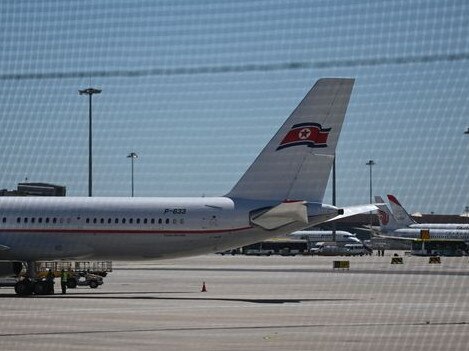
(281, 192)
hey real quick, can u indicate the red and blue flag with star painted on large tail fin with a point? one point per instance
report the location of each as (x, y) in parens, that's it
(309, 134)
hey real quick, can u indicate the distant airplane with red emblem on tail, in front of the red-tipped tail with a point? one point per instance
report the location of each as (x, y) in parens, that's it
(391, 228)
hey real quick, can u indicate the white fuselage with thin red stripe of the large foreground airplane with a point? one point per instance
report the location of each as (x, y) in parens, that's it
(47, 228)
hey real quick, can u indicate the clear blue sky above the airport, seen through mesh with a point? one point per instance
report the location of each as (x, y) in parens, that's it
(197, 89)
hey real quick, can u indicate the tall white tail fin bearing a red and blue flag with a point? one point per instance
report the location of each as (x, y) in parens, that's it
(297, 161)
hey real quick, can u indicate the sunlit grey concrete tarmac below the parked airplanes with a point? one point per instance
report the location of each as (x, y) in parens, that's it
(251, 303)
